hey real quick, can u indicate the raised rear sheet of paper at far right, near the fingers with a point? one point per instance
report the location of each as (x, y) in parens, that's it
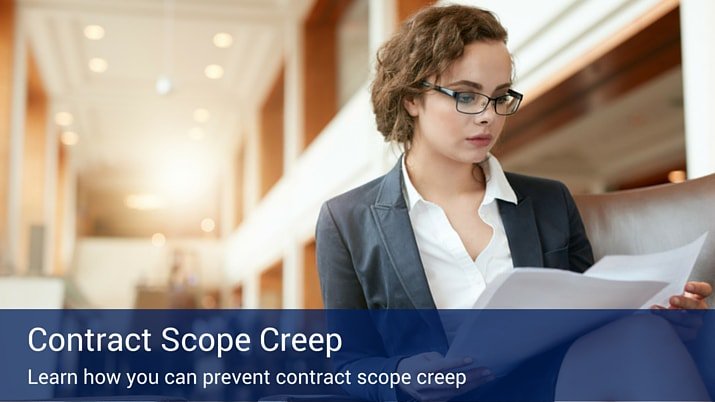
(672, 266)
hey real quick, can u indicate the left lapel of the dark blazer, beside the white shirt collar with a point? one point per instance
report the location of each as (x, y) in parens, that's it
(393, 223)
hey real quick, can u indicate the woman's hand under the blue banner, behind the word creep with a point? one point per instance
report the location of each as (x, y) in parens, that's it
(433, 362)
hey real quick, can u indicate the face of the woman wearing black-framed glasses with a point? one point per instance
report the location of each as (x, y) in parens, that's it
(440, 131)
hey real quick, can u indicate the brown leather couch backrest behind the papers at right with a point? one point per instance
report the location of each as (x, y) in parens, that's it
(654, 219)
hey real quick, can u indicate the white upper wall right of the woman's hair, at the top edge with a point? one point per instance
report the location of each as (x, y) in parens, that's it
(549, 42)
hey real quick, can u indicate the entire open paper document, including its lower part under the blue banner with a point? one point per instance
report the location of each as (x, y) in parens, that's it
(615, 282)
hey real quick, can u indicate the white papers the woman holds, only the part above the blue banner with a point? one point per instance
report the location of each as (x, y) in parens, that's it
(614, 282)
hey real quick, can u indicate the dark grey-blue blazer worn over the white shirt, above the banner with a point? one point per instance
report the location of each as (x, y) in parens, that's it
(368, 256)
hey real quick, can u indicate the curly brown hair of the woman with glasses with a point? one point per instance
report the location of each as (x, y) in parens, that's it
(425, 45)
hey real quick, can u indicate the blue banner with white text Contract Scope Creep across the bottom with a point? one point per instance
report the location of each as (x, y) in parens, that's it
(223, 355)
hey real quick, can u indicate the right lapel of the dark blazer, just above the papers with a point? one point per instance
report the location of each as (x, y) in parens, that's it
(521, 232)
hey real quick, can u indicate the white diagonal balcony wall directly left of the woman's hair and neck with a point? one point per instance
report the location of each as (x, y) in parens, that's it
(343, 156)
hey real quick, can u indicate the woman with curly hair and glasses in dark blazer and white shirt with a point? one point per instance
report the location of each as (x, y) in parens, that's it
(446, 220)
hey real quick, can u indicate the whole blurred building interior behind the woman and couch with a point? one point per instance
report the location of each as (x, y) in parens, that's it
(175, 153)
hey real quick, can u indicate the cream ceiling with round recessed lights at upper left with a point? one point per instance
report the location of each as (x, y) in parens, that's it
(122, 122)
